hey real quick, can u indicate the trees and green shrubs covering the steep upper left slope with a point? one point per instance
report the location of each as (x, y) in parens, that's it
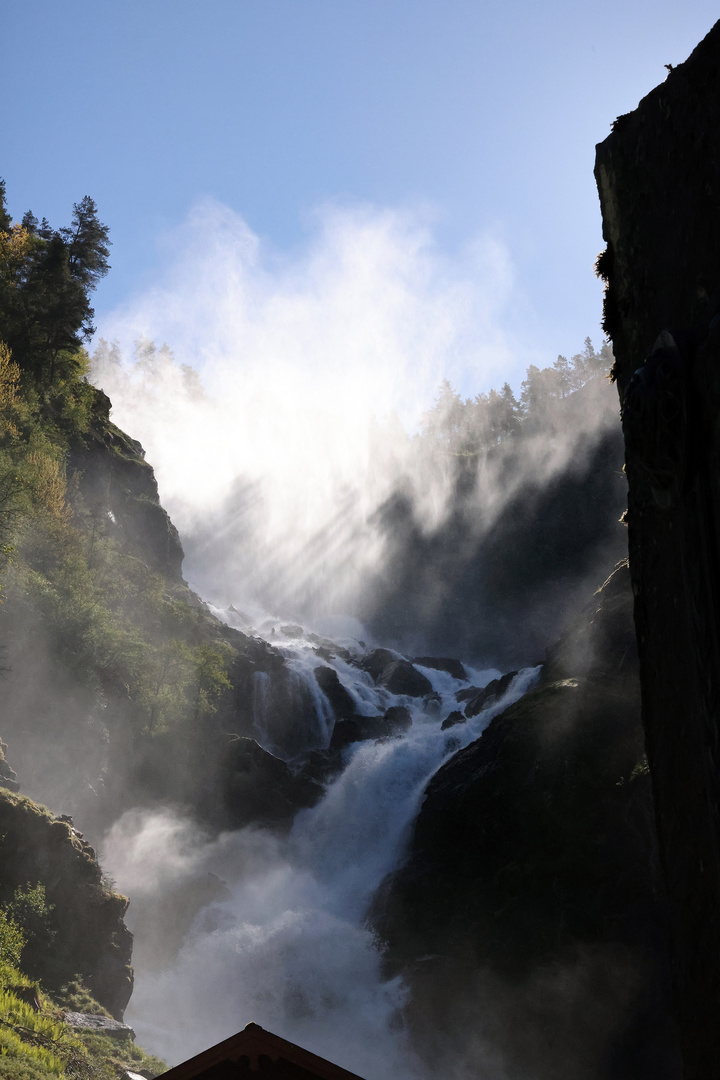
(115, 622)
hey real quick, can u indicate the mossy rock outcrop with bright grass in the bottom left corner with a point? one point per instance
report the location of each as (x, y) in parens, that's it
(37, 948)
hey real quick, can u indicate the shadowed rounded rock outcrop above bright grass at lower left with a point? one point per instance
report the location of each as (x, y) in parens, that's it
(90, 938)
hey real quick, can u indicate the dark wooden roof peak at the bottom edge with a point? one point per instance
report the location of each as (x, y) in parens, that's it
(255, 1054)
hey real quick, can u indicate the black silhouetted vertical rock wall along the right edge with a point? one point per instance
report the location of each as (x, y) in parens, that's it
(659, 177)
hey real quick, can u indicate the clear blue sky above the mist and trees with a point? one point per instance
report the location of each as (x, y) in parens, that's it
(483, 115)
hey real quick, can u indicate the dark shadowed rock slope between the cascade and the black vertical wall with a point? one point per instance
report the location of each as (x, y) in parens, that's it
(529, 917)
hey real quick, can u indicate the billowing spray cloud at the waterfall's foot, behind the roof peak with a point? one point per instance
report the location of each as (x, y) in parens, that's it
(269, 947)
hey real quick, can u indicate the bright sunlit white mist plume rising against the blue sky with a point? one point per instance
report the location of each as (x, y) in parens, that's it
(286, 417)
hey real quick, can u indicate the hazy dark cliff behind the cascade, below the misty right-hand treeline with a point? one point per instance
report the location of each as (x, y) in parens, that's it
(496, 595)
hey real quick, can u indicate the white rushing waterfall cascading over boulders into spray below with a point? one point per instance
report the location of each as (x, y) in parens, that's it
(287, 946)
